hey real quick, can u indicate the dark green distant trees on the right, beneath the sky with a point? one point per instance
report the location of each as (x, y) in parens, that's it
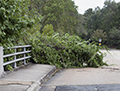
(107, 19)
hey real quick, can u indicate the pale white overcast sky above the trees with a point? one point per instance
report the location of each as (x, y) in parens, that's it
(83, 5)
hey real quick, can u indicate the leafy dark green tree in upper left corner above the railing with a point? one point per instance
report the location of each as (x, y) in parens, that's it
(13, 17)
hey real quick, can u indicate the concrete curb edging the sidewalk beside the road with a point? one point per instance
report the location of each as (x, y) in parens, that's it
(37, 85)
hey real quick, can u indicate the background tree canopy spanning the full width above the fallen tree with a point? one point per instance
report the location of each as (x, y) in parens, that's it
(59, 15)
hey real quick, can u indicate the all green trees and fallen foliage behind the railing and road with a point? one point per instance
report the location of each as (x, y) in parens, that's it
(59, 35)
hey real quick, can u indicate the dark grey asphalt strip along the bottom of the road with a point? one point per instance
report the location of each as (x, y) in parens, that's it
(111, 87)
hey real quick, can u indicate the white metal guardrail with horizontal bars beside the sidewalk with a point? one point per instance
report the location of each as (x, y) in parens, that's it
(24, 52)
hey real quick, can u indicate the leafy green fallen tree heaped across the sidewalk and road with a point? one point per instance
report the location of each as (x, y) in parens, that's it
(65, 51)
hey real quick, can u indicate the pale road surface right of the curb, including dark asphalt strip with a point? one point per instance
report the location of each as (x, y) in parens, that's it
(88, 79)
